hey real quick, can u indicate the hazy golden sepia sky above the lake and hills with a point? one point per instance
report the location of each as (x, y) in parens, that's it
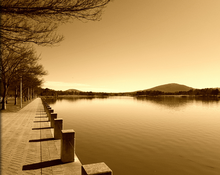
(138, 45)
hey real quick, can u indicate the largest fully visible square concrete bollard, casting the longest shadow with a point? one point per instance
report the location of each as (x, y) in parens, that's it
(67, 145)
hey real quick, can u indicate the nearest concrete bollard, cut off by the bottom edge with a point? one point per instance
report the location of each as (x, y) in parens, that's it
(96, 168)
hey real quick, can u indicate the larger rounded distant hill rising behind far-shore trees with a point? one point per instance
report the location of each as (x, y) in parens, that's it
(172, 87)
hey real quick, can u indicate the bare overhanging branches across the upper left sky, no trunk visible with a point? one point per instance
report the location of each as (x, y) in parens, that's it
(35, 21)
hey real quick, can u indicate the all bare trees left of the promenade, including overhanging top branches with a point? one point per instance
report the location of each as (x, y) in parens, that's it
(24, 23)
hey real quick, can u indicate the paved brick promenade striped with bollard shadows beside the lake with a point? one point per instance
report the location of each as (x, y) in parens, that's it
(27, 144)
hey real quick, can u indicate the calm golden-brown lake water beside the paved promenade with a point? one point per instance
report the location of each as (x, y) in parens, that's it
(145, 136)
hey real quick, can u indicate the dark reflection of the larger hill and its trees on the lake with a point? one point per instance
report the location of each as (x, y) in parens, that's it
(177, 101)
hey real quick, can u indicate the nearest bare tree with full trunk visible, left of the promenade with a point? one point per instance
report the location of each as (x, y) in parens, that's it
(15, 64)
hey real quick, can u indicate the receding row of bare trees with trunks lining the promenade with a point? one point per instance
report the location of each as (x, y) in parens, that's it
(19, 66)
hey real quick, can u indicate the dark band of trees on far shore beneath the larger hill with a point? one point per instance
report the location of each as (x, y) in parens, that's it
(200, 92)
